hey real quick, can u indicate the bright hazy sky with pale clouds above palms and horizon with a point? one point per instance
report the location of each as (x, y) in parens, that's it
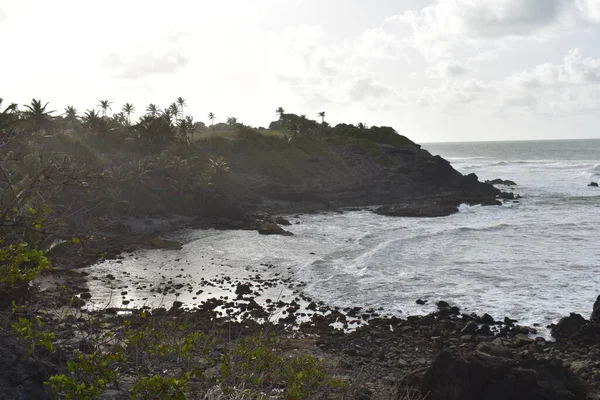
(435, 70)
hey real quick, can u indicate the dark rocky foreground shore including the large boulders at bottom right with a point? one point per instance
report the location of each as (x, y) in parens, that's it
(443, 355)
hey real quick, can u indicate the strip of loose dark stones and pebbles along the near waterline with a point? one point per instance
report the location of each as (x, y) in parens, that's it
(386, 351)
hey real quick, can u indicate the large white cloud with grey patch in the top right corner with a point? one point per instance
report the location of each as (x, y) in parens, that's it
(445, 26)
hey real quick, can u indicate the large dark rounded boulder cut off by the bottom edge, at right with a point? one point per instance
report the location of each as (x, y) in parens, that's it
(468, 375)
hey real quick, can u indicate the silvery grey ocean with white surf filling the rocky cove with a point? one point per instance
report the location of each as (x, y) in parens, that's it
(534, 260)
